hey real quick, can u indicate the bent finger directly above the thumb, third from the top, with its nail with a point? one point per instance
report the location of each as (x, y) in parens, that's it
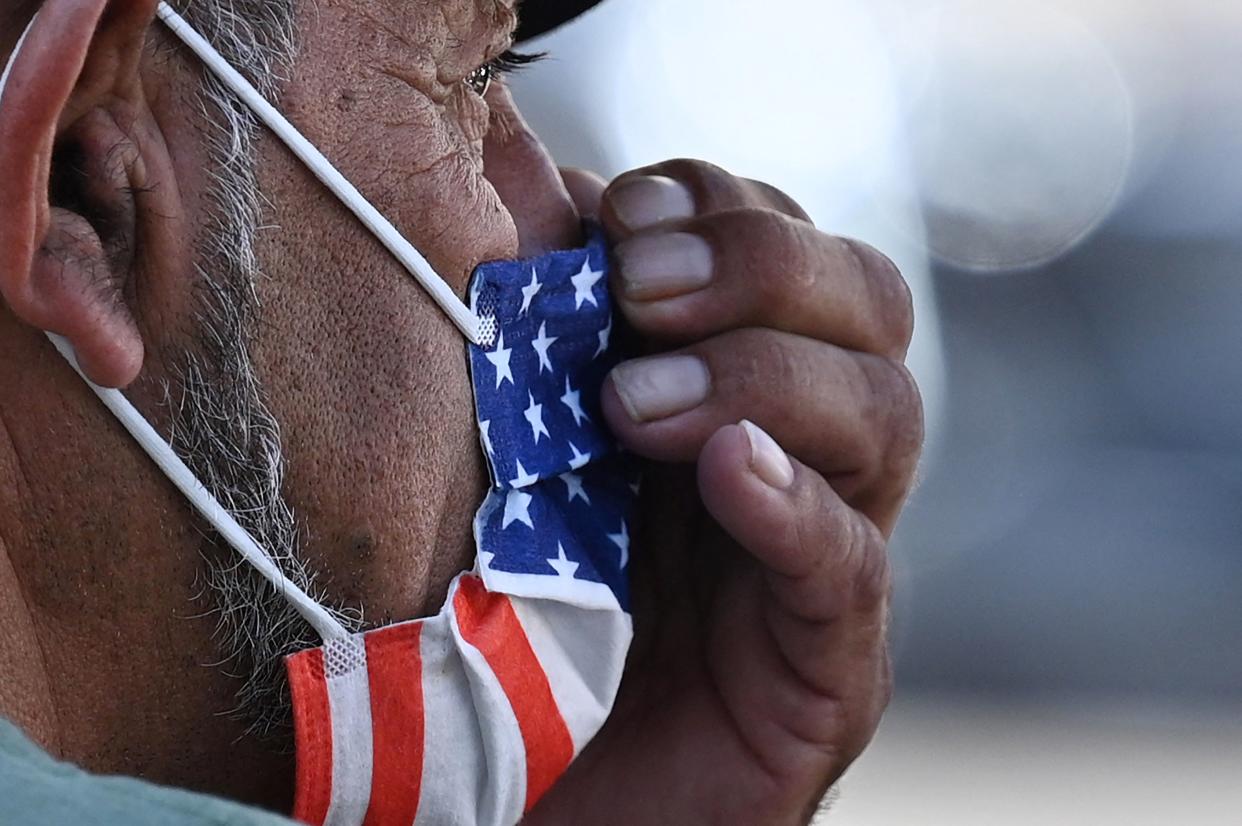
(855, 418)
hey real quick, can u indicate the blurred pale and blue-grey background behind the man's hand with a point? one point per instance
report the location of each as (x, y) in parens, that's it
(1063, 186)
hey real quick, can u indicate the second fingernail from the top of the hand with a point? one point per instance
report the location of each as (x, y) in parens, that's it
(664, 266)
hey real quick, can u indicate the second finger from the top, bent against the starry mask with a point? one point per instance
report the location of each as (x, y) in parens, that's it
(759, 268)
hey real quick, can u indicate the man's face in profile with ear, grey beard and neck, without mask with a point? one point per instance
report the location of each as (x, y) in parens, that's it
(304, 376)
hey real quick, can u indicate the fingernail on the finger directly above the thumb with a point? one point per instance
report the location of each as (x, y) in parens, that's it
(661, 387)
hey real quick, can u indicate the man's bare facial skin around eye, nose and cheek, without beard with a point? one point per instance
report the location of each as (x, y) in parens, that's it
(365, 374)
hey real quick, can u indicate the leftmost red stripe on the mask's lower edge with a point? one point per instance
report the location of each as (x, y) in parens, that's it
(312, 726)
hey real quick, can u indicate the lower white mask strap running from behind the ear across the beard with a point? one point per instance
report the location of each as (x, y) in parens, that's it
(176, 470)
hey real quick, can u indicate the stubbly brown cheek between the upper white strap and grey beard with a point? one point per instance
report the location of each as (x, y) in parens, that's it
(369, 382)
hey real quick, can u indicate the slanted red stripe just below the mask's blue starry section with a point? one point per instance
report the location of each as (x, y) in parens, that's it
(489, 623)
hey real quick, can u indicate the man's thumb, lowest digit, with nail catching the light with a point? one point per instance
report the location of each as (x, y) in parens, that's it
(828, 572)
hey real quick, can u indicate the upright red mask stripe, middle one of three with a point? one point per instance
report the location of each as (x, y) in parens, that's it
(396, 670)
